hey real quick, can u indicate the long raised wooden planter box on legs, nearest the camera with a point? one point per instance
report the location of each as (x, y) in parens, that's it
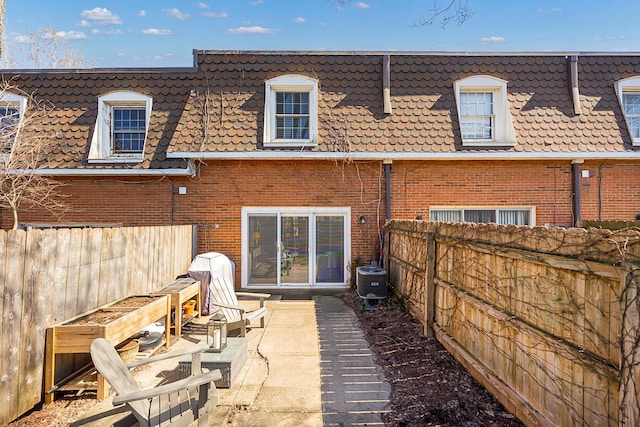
(116, 322)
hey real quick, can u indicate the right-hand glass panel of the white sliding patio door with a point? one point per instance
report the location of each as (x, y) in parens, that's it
(329, 249)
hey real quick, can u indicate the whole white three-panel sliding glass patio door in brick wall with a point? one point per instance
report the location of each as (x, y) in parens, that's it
(295, 247)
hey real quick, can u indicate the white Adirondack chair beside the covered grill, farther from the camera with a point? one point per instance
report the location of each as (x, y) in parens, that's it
(224, 296)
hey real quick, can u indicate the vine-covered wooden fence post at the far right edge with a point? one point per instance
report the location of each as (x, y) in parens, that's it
(630, 369)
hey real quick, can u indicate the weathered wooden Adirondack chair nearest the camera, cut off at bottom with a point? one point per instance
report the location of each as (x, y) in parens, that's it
(179, 403)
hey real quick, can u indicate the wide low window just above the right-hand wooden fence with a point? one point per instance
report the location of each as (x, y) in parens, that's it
(483, 215)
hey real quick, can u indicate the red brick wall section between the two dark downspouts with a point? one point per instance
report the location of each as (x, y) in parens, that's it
(416, 186)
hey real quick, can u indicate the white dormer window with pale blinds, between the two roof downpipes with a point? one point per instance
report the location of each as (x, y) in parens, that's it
(483, 112)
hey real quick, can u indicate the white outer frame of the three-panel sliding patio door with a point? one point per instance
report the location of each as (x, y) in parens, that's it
(244, 235)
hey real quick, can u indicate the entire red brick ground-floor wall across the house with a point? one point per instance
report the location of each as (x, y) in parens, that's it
(217, 194)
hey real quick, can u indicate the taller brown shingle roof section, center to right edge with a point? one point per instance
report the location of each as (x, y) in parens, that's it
(424, 116)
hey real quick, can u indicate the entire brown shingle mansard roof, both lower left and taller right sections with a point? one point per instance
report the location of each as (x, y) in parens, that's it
(218, 108)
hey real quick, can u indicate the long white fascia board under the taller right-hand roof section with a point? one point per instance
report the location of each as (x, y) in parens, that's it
(302, 155)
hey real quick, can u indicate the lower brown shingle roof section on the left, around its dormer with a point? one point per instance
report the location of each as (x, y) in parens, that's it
(74, 97)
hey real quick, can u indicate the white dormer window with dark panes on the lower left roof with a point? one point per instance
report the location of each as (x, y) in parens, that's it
(121, 128)
